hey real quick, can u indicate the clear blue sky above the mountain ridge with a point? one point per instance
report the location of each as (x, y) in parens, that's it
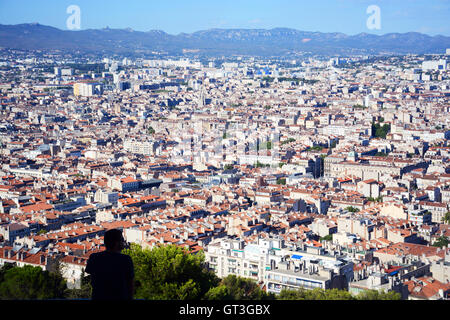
(175, 16)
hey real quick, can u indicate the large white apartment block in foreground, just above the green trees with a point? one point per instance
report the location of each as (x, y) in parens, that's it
(277, 266)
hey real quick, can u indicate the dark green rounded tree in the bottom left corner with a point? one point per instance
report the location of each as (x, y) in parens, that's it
(31, 283)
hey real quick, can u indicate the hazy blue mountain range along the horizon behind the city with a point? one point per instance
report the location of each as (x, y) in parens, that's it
(273, 42)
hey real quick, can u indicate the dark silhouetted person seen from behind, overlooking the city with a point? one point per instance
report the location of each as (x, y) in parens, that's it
(112, 273)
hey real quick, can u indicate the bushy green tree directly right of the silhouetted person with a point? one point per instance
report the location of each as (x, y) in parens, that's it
(170, 273)
